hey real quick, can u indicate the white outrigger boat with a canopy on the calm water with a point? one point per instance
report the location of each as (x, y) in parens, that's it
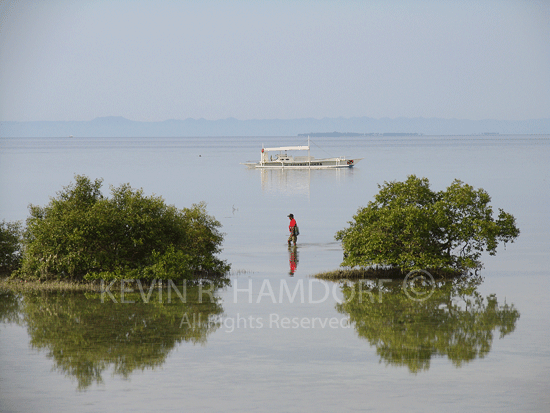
(282, 160)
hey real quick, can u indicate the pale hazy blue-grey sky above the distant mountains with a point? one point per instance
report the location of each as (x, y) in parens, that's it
(154, 60)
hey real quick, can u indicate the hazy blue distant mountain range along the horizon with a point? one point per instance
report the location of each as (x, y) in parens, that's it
(114, 126)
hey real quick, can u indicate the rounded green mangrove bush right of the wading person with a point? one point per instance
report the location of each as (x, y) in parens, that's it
(409, 226)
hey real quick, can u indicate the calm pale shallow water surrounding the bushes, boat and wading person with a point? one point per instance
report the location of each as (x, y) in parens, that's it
(258, 346)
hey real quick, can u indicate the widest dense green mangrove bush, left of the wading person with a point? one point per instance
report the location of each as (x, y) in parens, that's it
(81, 235)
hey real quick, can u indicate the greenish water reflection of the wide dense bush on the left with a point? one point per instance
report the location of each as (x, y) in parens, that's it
(85, 337)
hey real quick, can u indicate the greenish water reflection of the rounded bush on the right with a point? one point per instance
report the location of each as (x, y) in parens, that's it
(456, 322)
